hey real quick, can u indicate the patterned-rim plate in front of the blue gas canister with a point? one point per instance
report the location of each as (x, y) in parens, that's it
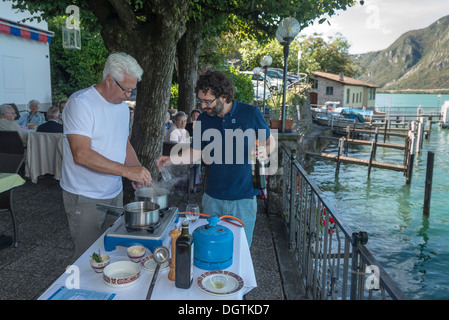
(233, 284)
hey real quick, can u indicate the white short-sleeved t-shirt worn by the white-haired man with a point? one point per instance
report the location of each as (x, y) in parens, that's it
(87, 113)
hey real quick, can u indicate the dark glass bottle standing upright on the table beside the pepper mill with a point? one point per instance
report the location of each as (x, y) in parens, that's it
(184, 258)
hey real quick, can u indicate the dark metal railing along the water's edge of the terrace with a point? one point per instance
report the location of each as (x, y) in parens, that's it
(333, 260)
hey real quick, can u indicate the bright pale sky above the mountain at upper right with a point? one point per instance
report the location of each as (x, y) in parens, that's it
(378, 23)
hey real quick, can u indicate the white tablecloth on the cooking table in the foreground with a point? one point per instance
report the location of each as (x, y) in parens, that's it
(164, 289)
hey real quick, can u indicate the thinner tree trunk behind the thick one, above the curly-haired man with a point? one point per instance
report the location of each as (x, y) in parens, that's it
(188, 52)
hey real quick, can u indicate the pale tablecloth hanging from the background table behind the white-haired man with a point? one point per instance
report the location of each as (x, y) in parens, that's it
(43, 155)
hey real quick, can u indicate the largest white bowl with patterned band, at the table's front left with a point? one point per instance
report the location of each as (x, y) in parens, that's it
(121, 274)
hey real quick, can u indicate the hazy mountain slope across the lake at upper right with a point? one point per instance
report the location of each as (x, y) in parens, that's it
(419, 59)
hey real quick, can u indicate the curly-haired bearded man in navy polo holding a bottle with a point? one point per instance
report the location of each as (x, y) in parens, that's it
(234, 126)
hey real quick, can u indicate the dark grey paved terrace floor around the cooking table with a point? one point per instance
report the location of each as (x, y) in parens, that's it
(45, 247)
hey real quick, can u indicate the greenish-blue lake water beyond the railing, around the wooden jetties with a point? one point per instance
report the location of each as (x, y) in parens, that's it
(413, 249)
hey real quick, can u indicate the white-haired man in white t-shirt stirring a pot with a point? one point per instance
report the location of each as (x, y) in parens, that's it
(97, 152)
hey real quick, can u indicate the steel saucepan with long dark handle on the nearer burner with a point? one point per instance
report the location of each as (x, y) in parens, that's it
(137, 214)
